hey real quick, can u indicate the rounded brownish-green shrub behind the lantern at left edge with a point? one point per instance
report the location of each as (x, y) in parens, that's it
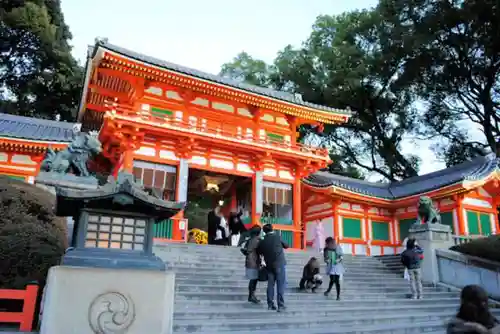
(32, 238)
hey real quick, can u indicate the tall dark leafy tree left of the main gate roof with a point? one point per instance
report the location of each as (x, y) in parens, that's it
(38, 75)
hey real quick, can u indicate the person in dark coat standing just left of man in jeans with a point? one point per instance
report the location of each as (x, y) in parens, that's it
(252, 262)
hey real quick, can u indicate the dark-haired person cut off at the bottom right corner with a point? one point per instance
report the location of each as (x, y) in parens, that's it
(474, 316)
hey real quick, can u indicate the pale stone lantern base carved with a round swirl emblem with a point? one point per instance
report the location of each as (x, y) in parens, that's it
(101, 300)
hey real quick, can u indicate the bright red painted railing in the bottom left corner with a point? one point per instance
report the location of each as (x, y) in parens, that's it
(25, 317)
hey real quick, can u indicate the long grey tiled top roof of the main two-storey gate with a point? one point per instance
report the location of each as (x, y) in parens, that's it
(279, 95)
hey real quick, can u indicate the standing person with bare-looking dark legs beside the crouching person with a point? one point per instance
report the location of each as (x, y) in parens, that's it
(333, 255)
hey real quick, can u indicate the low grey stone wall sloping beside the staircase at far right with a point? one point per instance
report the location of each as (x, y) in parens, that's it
(458, 270)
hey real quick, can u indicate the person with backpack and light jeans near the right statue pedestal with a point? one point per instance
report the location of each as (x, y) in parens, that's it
(411, 258)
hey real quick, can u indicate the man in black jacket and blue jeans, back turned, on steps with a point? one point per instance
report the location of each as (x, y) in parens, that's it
(272, 249)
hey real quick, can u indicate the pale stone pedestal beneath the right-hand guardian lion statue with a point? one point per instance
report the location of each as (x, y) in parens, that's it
(431, 237)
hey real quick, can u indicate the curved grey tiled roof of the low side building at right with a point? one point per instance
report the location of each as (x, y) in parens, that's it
(471, 170)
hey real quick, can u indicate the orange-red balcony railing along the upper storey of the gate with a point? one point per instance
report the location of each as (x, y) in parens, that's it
(220, 130)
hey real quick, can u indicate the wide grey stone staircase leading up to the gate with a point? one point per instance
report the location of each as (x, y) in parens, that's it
(211, 294)
